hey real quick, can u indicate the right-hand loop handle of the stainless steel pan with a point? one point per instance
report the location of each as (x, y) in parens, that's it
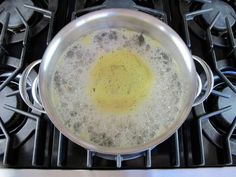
(205, 81)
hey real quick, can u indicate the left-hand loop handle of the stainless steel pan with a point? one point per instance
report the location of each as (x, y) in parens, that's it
(37, 105)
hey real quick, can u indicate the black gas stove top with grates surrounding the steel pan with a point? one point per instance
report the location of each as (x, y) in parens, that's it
(29, 140)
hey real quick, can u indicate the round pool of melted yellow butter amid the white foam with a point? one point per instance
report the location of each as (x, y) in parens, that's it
(119, 81)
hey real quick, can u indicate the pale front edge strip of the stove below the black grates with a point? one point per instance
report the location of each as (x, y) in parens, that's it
(197, 172)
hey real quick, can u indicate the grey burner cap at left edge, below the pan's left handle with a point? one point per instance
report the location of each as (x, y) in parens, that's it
(5, 114)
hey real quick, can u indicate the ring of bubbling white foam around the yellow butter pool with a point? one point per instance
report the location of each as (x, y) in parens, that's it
(79, 114)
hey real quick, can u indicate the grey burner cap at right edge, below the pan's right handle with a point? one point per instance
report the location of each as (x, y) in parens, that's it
(228, 116)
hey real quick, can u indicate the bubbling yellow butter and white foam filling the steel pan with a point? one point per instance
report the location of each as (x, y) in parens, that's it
(118, 88)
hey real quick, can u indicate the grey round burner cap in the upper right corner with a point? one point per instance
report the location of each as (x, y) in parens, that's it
(226, 11)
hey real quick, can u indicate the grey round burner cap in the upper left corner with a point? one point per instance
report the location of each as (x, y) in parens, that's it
(9, 6)
